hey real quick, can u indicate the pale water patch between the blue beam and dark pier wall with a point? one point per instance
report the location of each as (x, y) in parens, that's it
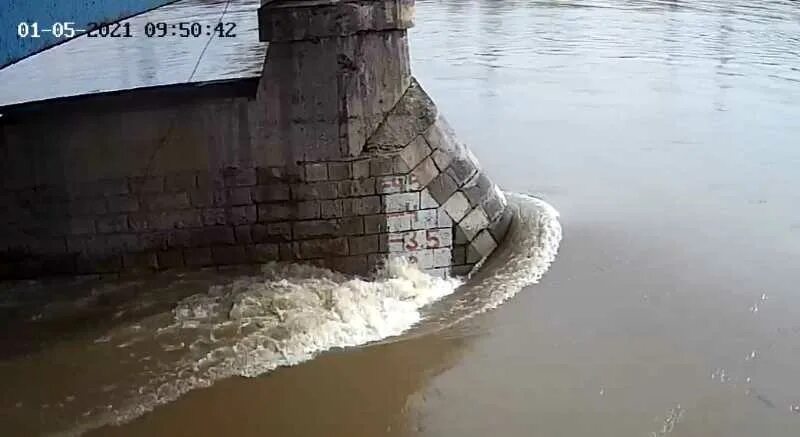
(87, 66)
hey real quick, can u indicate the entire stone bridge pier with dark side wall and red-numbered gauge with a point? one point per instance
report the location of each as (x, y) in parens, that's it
(336, 156)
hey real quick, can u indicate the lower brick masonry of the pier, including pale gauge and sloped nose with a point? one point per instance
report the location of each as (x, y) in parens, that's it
(425, 199)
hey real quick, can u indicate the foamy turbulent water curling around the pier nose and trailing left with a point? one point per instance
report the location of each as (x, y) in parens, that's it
(281, 315)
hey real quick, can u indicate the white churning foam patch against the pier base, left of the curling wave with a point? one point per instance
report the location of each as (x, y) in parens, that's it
(283, 317)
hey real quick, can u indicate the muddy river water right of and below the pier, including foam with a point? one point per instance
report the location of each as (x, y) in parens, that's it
(665, 133)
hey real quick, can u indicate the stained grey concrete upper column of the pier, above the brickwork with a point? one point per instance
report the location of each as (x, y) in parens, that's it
(334, 69)
